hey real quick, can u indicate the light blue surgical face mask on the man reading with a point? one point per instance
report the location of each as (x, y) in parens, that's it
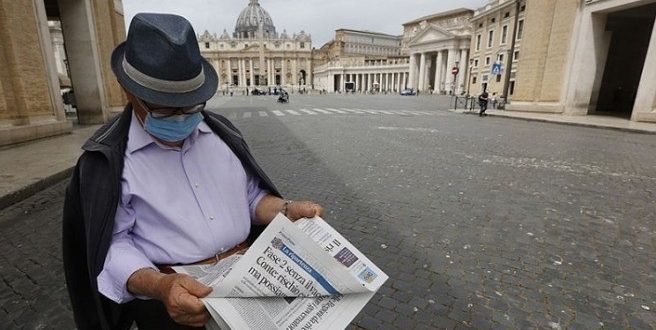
(174, 128)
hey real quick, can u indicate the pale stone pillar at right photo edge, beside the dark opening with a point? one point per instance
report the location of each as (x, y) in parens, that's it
(644, 108)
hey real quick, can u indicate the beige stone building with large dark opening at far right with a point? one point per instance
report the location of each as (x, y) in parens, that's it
(589, 57)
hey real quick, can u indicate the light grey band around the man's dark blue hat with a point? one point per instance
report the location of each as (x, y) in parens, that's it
(160, 85)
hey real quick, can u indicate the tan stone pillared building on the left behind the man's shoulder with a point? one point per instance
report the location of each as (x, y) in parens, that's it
(31, 104)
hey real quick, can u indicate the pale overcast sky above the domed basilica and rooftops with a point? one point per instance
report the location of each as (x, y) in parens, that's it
(320, 18)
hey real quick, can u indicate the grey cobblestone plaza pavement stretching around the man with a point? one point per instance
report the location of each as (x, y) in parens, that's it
(479, 222)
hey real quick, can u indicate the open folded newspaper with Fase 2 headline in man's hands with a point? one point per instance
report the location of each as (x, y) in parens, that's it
(296, 275)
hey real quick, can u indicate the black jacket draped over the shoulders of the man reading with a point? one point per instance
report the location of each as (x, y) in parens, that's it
(90, 206)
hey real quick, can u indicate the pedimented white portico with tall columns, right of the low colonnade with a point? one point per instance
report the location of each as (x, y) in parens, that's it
(438, 50)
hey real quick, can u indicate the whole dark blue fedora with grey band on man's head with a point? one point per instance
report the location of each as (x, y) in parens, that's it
(160, 62)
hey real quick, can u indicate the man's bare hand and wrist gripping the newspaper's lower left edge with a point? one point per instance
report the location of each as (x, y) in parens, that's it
(180, 294)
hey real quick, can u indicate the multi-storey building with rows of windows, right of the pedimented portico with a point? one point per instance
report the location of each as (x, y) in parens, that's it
(494, 53)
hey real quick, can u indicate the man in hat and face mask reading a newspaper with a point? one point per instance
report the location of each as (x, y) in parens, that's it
(164, 183)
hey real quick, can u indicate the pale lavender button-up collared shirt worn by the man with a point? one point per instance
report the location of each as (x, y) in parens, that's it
(177, 206)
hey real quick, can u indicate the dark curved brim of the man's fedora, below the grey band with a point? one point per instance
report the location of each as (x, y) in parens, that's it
(199, 95)
